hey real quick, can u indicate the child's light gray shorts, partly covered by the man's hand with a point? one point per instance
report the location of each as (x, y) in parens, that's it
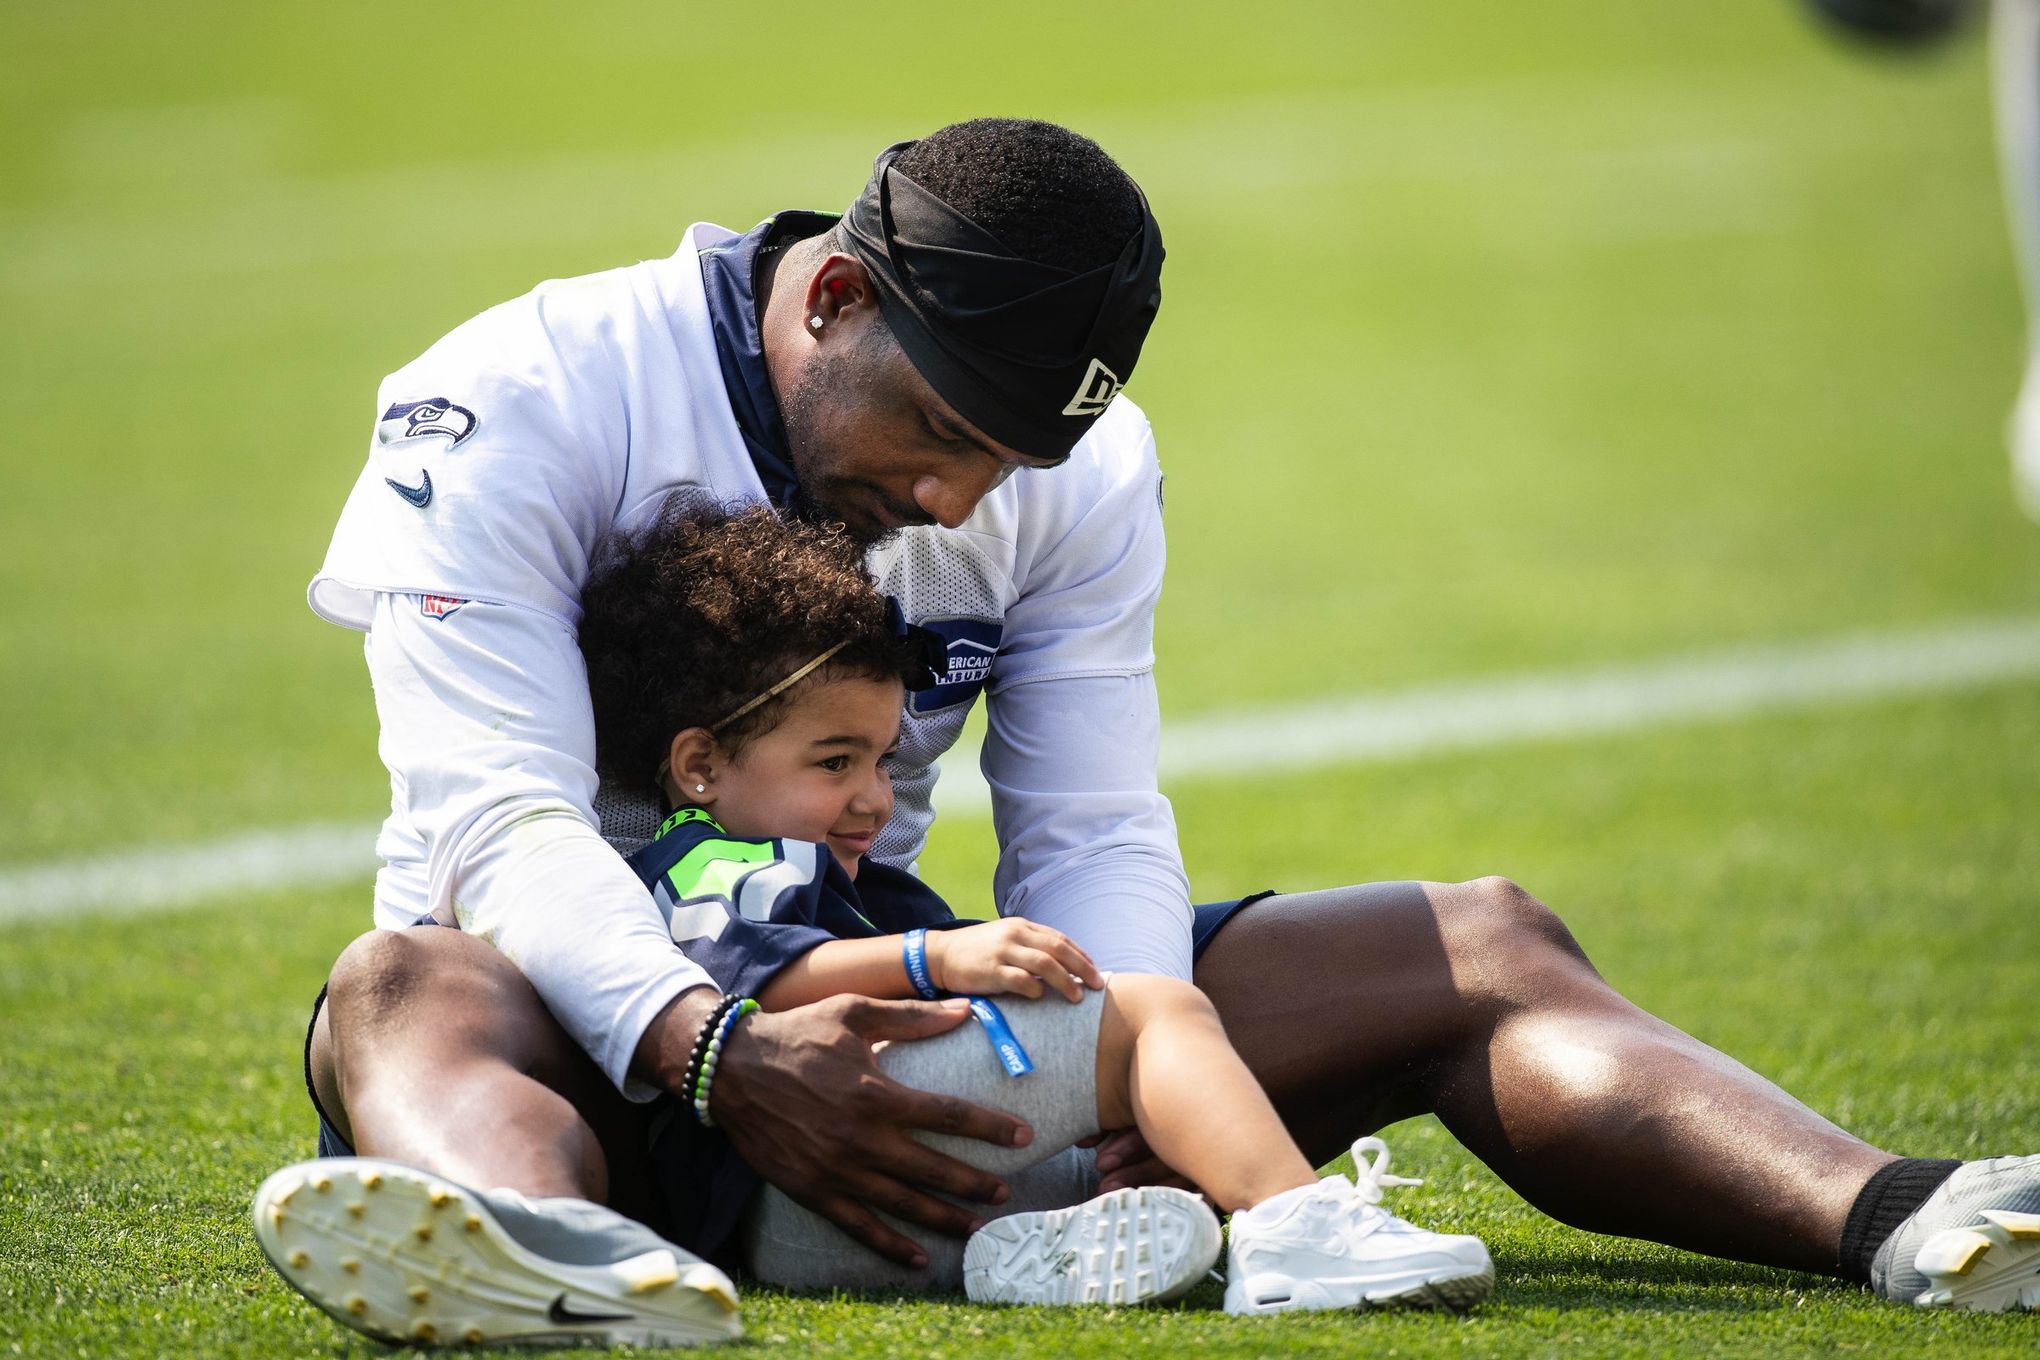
(786, 1245)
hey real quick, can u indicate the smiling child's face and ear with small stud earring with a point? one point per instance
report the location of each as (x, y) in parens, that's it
(817, 776)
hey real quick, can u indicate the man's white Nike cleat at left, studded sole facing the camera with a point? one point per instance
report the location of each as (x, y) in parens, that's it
(417, 1261)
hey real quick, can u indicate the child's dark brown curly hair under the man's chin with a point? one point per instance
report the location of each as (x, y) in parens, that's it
(705, 611)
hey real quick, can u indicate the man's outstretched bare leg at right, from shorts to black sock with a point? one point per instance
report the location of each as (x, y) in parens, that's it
(1366, 1006)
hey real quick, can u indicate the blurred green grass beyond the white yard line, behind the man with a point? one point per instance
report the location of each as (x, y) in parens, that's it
(1496, 337)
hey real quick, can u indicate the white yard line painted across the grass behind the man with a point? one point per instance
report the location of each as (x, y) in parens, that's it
(1264, 741)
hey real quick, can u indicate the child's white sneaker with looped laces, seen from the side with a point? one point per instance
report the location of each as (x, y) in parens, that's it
(1327, 1247)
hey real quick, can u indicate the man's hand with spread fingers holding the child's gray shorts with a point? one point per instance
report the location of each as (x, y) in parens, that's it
(805, 1102)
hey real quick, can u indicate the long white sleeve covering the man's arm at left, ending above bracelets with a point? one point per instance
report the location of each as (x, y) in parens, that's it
(491, 743)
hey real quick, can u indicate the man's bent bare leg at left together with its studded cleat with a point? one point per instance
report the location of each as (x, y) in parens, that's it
(487, 1147)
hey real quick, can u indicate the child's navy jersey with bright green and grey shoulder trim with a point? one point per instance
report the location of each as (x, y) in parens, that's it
(748, 908)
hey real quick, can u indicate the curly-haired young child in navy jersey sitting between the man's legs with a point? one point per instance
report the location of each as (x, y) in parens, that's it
(752, 670)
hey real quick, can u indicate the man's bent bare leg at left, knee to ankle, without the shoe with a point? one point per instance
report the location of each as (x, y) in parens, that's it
(433, 1051)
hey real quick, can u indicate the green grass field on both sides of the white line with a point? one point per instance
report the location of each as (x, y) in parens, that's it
(1496, 339)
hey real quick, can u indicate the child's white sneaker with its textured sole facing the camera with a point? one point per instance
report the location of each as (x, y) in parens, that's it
(1145, 1245)
